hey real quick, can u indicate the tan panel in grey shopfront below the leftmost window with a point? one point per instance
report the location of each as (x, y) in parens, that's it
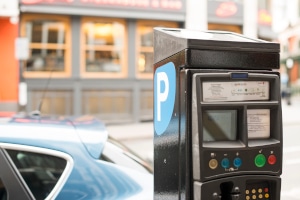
(52, 102)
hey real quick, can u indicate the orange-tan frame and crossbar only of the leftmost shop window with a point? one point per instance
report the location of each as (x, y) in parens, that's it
(66, 47)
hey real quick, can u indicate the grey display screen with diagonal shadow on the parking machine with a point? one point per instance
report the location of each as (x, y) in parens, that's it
(219, 125)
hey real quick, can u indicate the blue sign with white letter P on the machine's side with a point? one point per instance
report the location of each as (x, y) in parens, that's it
(164, 96)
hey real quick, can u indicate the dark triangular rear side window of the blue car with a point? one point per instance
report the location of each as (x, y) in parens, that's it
(40, 172)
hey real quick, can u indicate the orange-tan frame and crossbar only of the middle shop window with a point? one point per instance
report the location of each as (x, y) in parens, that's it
(124, 64)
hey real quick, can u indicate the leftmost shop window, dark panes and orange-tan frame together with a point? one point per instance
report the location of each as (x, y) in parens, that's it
(49, 45)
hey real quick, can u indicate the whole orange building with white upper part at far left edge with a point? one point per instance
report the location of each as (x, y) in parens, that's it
(9, 70)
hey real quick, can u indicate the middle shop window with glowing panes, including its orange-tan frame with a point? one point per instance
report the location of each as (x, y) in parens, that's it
(103, 48)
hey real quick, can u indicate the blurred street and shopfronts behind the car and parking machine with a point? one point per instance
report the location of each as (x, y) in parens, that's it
(95, 57)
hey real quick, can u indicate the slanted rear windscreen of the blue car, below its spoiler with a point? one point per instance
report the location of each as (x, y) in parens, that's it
(119, 154)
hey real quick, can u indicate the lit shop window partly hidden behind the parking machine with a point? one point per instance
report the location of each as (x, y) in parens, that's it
(145, 46)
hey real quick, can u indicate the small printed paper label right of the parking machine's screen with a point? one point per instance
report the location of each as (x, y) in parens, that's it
(258, 123)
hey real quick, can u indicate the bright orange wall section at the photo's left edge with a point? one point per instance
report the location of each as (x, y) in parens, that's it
(9, 71)
